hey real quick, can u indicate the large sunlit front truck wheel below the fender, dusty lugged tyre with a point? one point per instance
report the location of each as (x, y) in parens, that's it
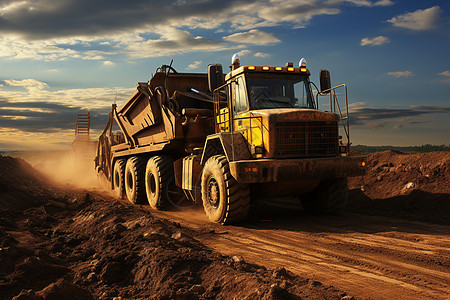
(225, 200)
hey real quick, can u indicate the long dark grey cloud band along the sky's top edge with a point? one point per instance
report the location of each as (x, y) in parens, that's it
(47, 19)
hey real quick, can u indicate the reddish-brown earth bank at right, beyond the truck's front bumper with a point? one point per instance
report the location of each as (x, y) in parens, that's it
(398, 184)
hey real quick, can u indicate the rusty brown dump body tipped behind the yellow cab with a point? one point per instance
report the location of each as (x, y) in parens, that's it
(170, 113)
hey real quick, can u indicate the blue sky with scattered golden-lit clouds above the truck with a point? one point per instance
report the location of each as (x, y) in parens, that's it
(59, 58)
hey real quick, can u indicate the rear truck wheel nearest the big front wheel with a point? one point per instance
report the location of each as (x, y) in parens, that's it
(158, 173)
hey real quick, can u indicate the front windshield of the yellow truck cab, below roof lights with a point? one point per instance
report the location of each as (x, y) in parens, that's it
(279, 91)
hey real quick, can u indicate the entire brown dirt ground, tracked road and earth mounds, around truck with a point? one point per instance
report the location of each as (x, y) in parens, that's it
(89, 240)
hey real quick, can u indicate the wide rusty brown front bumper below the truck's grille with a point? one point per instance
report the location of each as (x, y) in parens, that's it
(291, 170)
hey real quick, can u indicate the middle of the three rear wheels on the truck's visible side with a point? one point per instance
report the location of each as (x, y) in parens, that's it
(134, 180)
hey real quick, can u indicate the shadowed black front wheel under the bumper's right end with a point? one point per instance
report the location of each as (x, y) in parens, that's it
(330, 197)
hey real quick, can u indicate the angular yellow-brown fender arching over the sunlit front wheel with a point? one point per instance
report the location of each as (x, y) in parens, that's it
(231, 144)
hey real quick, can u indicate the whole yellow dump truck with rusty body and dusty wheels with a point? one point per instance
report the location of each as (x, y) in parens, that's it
(221, 140)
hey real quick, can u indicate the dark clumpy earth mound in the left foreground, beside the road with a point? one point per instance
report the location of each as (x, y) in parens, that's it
(57, 244)
